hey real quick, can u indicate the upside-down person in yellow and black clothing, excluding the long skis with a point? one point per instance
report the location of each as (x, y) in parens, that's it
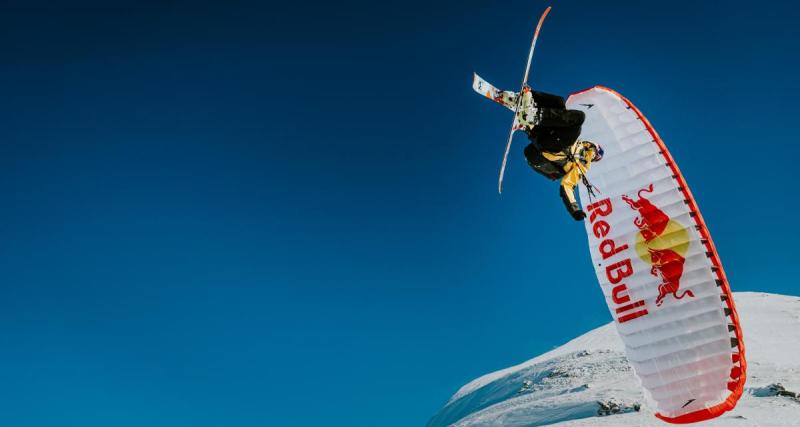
(555, 150)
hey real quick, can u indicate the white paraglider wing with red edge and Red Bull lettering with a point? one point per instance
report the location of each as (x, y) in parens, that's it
(657, 266)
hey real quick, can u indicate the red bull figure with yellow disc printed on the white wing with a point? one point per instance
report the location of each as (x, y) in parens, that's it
(662, 243)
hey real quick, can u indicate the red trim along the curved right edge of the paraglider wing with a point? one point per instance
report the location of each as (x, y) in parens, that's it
(738, 373)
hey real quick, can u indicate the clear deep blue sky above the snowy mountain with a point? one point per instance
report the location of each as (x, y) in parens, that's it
(247, 214)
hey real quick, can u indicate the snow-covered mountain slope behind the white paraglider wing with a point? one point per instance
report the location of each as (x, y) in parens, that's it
(588, 382)
